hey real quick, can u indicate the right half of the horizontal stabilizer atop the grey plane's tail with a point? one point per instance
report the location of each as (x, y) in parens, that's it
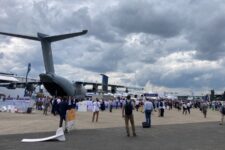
(64, 36)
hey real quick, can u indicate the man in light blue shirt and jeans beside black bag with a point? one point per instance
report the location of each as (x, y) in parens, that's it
(148, 107)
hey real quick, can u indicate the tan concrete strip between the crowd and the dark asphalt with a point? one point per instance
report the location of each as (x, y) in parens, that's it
(14, 123)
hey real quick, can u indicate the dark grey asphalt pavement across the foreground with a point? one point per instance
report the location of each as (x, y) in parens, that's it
(189, 136)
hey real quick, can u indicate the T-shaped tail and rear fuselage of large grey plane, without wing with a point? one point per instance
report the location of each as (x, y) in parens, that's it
(54, 84)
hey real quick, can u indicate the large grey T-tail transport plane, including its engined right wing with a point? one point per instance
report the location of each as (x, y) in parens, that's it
(57, 85)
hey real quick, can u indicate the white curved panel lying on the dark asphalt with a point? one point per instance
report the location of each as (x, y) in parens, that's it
(58, 136)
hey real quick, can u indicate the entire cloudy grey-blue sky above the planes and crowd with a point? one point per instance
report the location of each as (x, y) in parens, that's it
(163, 45)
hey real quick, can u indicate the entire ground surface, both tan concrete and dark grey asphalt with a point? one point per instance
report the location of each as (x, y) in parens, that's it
(174, 131)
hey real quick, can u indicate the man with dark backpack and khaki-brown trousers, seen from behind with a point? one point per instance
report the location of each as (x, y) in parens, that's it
(127, 113)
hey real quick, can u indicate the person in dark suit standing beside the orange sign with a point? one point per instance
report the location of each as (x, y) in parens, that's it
(63, 107)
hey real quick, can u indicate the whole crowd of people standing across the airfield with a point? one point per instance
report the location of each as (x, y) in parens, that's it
(59, 106)
